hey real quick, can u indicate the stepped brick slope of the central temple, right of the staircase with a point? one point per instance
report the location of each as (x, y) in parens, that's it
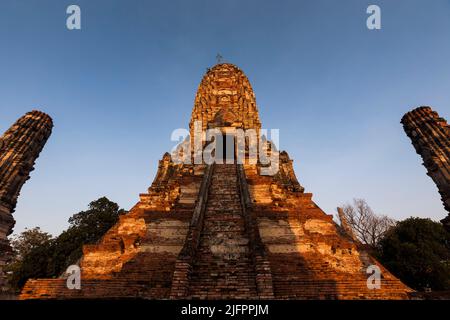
(309, 257)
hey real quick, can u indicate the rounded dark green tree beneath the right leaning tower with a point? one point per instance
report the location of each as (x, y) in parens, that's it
(418, 252)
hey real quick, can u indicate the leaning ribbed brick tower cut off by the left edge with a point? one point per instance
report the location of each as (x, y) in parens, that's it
(19, 148)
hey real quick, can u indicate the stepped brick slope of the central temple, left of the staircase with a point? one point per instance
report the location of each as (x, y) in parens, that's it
(137, 256)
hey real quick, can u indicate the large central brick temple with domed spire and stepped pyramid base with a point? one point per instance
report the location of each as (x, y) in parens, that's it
(224, 230)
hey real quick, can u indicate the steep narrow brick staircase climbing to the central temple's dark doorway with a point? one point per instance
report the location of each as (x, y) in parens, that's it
(223, 267)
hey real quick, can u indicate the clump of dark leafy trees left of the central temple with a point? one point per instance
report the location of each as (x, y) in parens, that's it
(44, 257)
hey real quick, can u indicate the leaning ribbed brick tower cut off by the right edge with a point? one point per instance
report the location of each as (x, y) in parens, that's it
(430, 136)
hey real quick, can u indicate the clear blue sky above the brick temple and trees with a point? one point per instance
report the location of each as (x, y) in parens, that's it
(117, 88)
